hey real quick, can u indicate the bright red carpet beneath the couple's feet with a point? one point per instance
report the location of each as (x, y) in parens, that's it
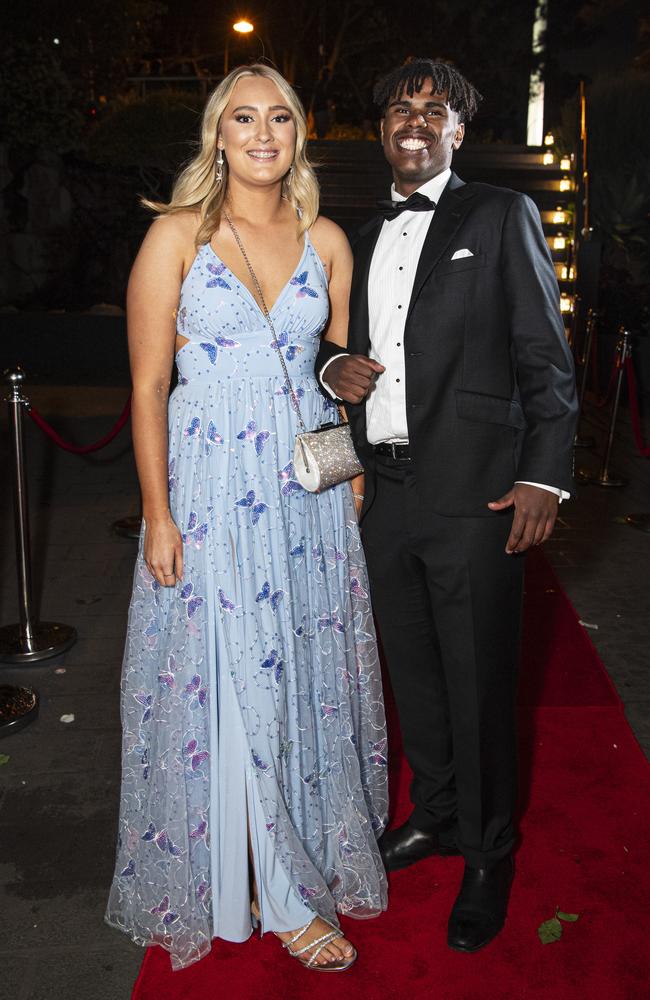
(585, 841)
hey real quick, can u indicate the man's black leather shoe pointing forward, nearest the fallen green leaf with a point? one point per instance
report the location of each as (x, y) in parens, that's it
(480, 909)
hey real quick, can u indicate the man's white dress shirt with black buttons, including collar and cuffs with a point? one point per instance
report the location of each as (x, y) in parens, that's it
(390, 284)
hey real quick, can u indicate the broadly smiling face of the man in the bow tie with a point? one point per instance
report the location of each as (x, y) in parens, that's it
(419, 135)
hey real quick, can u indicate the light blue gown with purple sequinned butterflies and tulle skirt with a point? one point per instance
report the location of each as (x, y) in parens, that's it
(251, 692)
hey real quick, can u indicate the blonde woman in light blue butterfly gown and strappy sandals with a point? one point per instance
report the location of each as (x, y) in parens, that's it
(254, 734)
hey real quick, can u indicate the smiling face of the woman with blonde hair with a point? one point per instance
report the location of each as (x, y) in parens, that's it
(257, 132)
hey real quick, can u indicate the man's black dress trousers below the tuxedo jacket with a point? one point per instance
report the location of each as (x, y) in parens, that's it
(447, 600)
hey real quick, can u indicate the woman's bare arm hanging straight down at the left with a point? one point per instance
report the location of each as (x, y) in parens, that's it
(152, 299)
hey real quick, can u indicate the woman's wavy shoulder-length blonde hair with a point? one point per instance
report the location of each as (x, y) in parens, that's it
(197, 187)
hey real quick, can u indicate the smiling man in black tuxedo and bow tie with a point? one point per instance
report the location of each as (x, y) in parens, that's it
(460, 394)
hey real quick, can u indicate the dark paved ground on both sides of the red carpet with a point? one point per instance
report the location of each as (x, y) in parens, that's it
(59, 790)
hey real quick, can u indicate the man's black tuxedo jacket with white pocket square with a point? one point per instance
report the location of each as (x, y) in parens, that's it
(490, 391)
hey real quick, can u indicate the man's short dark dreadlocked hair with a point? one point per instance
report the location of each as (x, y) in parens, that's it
(462, 96)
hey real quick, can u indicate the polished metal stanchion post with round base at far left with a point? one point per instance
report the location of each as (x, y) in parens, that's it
(30, 640)
